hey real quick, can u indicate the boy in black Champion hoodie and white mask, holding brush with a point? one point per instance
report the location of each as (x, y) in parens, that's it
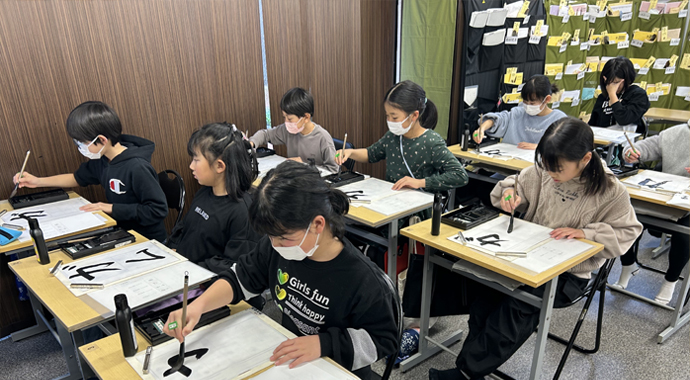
(120, 163)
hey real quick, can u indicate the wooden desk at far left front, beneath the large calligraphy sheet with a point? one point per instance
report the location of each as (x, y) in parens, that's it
(71, 313)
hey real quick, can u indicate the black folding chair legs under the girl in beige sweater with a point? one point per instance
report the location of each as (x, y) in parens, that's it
(598, 284)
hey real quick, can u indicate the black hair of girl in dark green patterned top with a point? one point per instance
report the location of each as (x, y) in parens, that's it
(409, 97)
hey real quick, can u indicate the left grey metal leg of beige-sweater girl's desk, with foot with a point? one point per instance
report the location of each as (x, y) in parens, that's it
(425, 351)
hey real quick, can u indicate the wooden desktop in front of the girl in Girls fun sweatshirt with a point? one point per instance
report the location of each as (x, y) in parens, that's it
(106, 359)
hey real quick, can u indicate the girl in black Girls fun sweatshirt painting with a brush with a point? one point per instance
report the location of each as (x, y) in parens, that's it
(306, 262)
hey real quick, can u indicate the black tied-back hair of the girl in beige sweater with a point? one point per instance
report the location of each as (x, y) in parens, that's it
(569, 139)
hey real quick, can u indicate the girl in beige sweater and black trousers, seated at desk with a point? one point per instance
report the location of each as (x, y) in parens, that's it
(570, 190)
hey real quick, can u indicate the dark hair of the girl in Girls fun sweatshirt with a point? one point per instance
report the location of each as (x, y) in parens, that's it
(291, 196)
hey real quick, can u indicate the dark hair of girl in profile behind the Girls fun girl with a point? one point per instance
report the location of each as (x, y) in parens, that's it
(223, 141)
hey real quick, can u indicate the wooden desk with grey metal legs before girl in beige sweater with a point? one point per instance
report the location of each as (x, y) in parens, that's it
(502, 268)
